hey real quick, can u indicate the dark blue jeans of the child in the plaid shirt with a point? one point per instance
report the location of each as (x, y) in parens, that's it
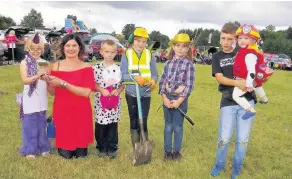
(174, 121)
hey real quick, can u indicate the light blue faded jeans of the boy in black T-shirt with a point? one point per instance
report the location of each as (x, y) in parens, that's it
(230, 116)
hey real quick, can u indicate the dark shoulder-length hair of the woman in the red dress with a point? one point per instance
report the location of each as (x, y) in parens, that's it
(67, 38)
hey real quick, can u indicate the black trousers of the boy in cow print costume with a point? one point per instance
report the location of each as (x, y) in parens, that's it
(106, 137)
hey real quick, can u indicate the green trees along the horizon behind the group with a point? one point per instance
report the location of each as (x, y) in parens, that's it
(274, 41)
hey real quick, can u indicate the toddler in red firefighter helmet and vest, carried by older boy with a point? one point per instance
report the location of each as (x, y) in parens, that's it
(249, 65)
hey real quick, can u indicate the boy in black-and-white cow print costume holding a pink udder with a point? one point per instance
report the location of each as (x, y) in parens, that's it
(107, 101)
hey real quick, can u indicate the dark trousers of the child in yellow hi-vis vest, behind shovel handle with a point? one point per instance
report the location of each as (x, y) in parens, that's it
(133, 111)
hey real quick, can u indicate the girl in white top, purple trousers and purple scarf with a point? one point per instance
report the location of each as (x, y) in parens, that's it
(34, 100)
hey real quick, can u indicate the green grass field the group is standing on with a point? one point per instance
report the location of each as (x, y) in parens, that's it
(269, 153)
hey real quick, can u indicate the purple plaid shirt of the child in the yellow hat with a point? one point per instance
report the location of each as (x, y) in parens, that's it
(178, 72)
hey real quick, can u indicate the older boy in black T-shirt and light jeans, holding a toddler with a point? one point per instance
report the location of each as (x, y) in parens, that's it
(230, 112)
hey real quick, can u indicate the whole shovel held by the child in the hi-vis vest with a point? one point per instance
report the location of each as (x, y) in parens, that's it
(143, 150)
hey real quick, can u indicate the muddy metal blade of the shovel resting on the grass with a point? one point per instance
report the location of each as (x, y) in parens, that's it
(142, 152)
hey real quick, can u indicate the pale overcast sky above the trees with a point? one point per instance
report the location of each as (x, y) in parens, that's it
(167, 17)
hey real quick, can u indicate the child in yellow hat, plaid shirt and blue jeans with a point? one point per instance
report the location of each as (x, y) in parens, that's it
(175, 86)
